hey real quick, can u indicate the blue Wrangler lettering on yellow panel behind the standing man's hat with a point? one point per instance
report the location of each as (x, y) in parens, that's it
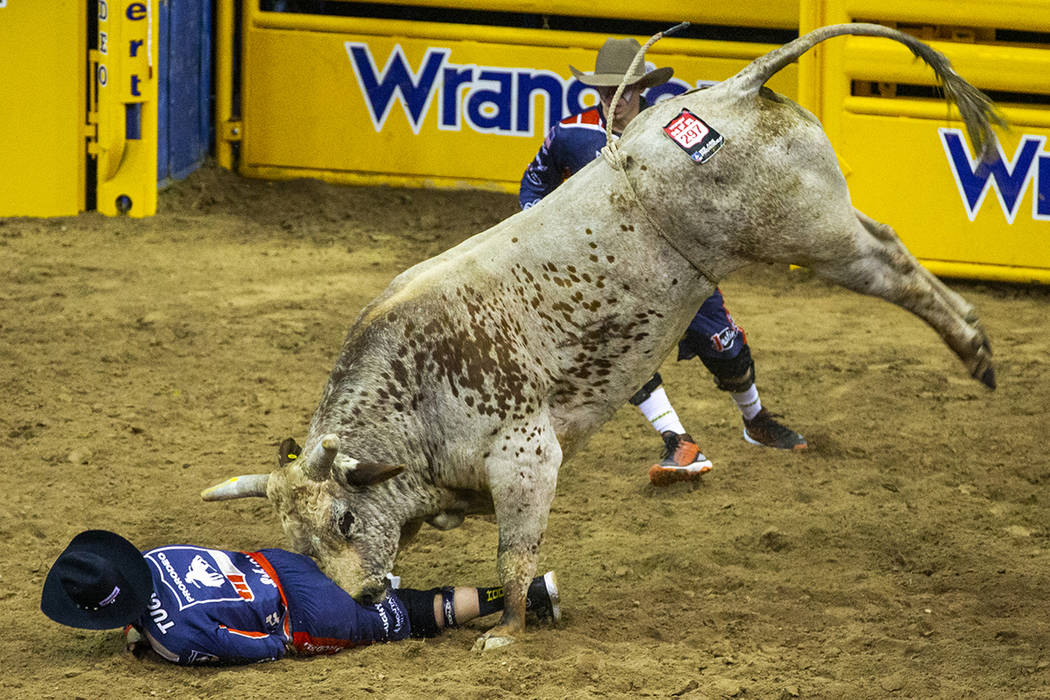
(484, 99)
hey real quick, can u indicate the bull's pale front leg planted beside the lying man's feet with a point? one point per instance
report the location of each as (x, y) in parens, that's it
(523, 479)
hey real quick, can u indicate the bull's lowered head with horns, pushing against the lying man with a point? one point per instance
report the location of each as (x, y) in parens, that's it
(329, 510)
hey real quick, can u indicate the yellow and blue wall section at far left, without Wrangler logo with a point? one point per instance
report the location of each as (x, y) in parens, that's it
(103, 100)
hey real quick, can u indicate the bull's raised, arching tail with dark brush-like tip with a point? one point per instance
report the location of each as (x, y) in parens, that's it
(977, 110)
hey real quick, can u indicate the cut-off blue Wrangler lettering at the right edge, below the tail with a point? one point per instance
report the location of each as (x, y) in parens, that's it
(1010, 178)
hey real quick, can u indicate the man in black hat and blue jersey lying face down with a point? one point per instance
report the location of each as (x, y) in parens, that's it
(195, 605)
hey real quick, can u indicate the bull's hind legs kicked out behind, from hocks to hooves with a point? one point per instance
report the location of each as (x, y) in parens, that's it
(881, 266)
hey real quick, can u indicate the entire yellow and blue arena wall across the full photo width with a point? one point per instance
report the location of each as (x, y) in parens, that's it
(460, 94)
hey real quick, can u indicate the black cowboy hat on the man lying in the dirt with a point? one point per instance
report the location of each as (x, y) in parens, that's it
(99, 583)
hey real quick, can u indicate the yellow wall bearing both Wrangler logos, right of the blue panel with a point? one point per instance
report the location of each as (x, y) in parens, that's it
(376, 100)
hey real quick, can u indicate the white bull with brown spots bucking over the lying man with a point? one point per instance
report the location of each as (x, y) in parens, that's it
(465, 386)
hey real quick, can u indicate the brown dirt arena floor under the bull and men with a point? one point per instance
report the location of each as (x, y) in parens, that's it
(907, 555)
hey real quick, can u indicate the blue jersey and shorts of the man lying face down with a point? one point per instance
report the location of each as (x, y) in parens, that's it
(218, 606)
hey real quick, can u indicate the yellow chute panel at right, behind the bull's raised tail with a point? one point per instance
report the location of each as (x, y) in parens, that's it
(909, 161)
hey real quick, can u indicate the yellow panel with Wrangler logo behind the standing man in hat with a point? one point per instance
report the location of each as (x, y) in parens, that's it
(397, 102)
